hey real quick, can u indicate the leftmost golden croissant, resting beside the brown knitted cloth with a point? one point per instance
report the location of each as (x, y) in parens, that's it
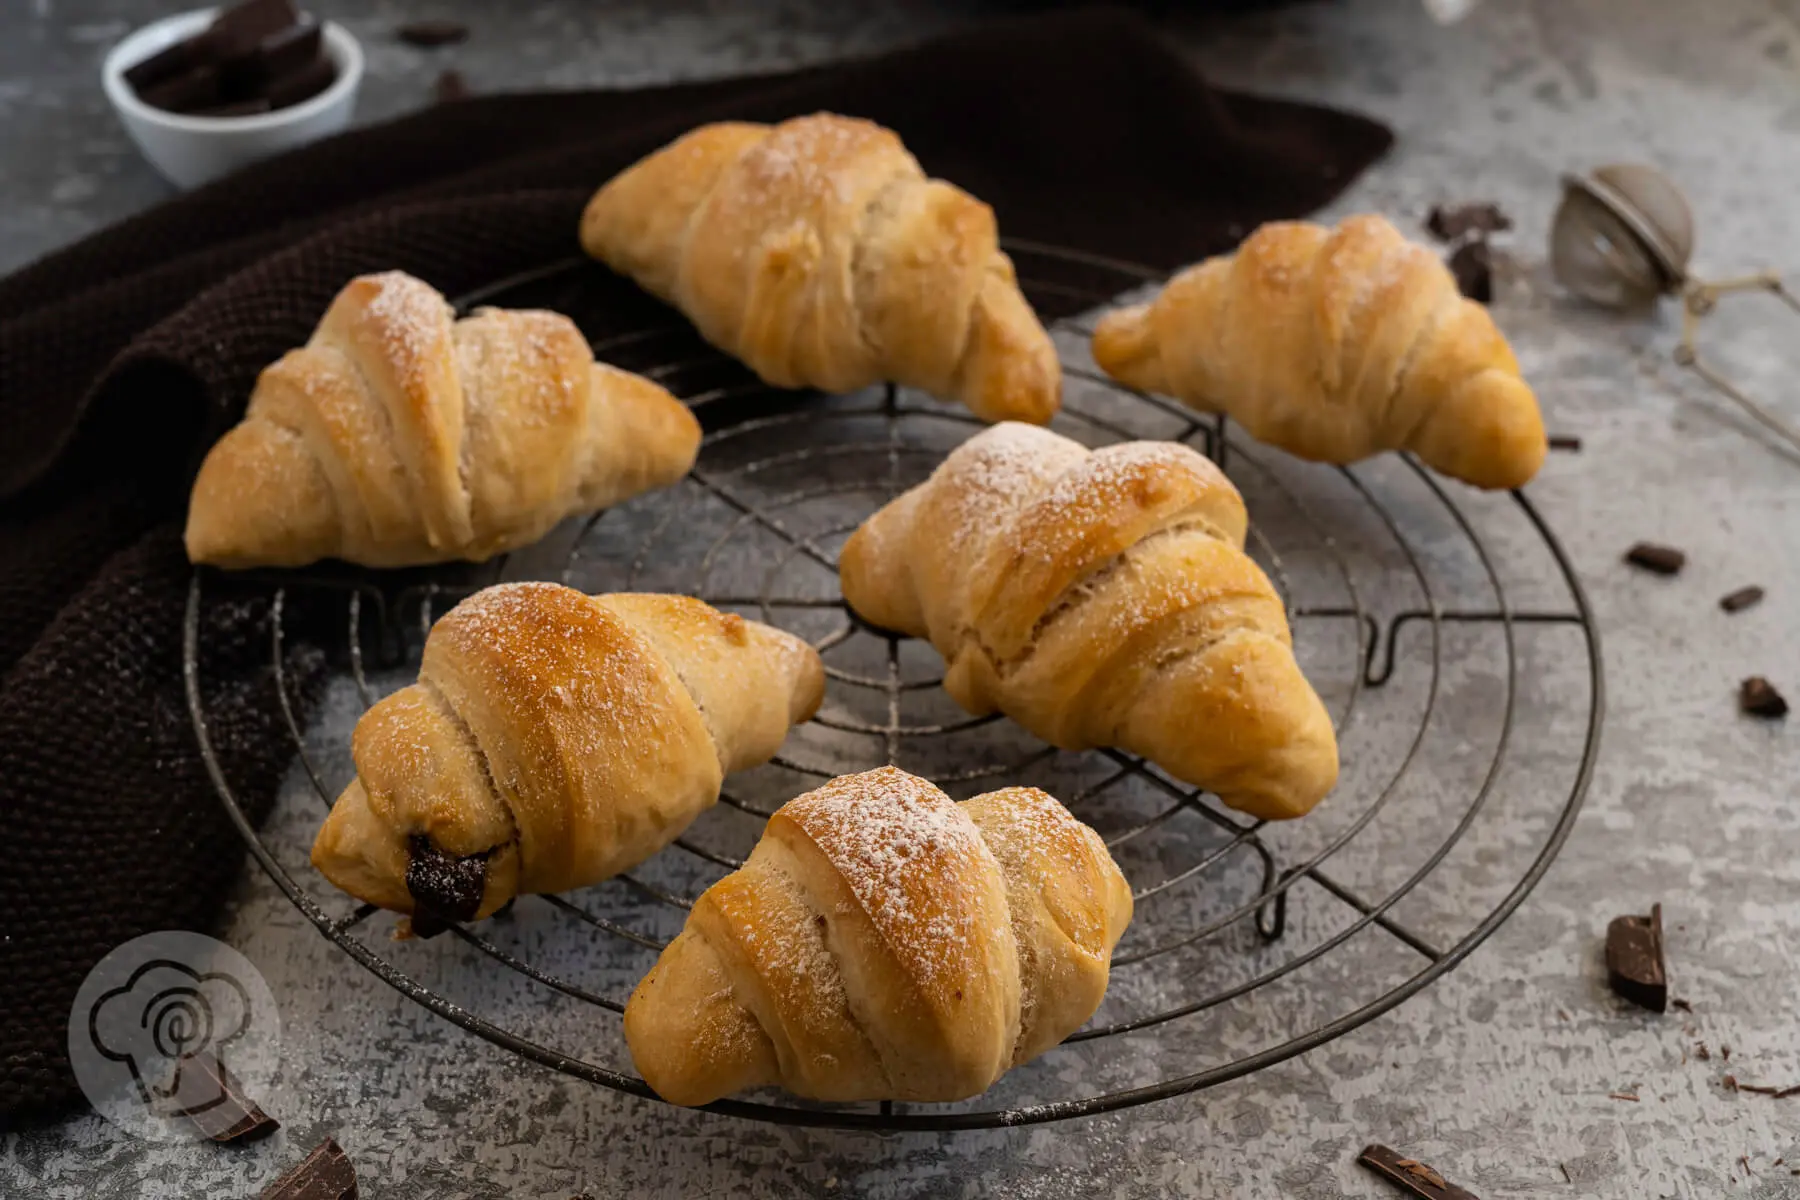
(402, 436)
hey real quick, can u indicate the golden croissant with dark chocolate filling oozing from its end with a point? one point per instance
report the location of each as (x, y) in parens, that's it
(552, 742)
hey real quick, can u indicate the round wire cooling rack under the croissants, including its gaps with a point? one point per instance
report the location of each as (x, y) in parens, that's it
(1252, 944)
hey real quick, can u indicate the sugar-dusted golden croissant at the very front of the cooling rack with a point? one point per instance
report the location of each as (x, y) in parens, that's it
(885, 944)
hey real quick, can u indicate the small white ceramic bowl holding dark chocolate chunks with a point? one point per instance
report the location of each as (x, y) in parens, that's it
(197, 150)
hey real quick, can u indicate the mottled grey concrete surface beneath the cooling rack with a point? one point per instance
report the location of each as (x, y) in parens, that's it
(1502, 1073)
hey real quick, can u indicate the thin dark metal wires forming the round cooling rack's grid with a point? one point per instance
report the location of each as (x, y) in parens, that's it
(1376, 649)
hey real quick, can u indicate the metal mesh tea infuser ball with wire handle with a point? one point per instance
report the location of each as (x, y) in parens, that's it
(1623, 238)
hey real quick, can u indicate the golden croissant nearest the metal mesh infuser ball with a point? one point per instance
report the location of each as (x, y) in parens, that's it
(1336, 345)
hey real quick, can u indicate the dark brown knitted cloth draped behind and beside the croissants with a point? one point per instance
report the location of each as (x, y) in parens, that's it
(123, 357)
